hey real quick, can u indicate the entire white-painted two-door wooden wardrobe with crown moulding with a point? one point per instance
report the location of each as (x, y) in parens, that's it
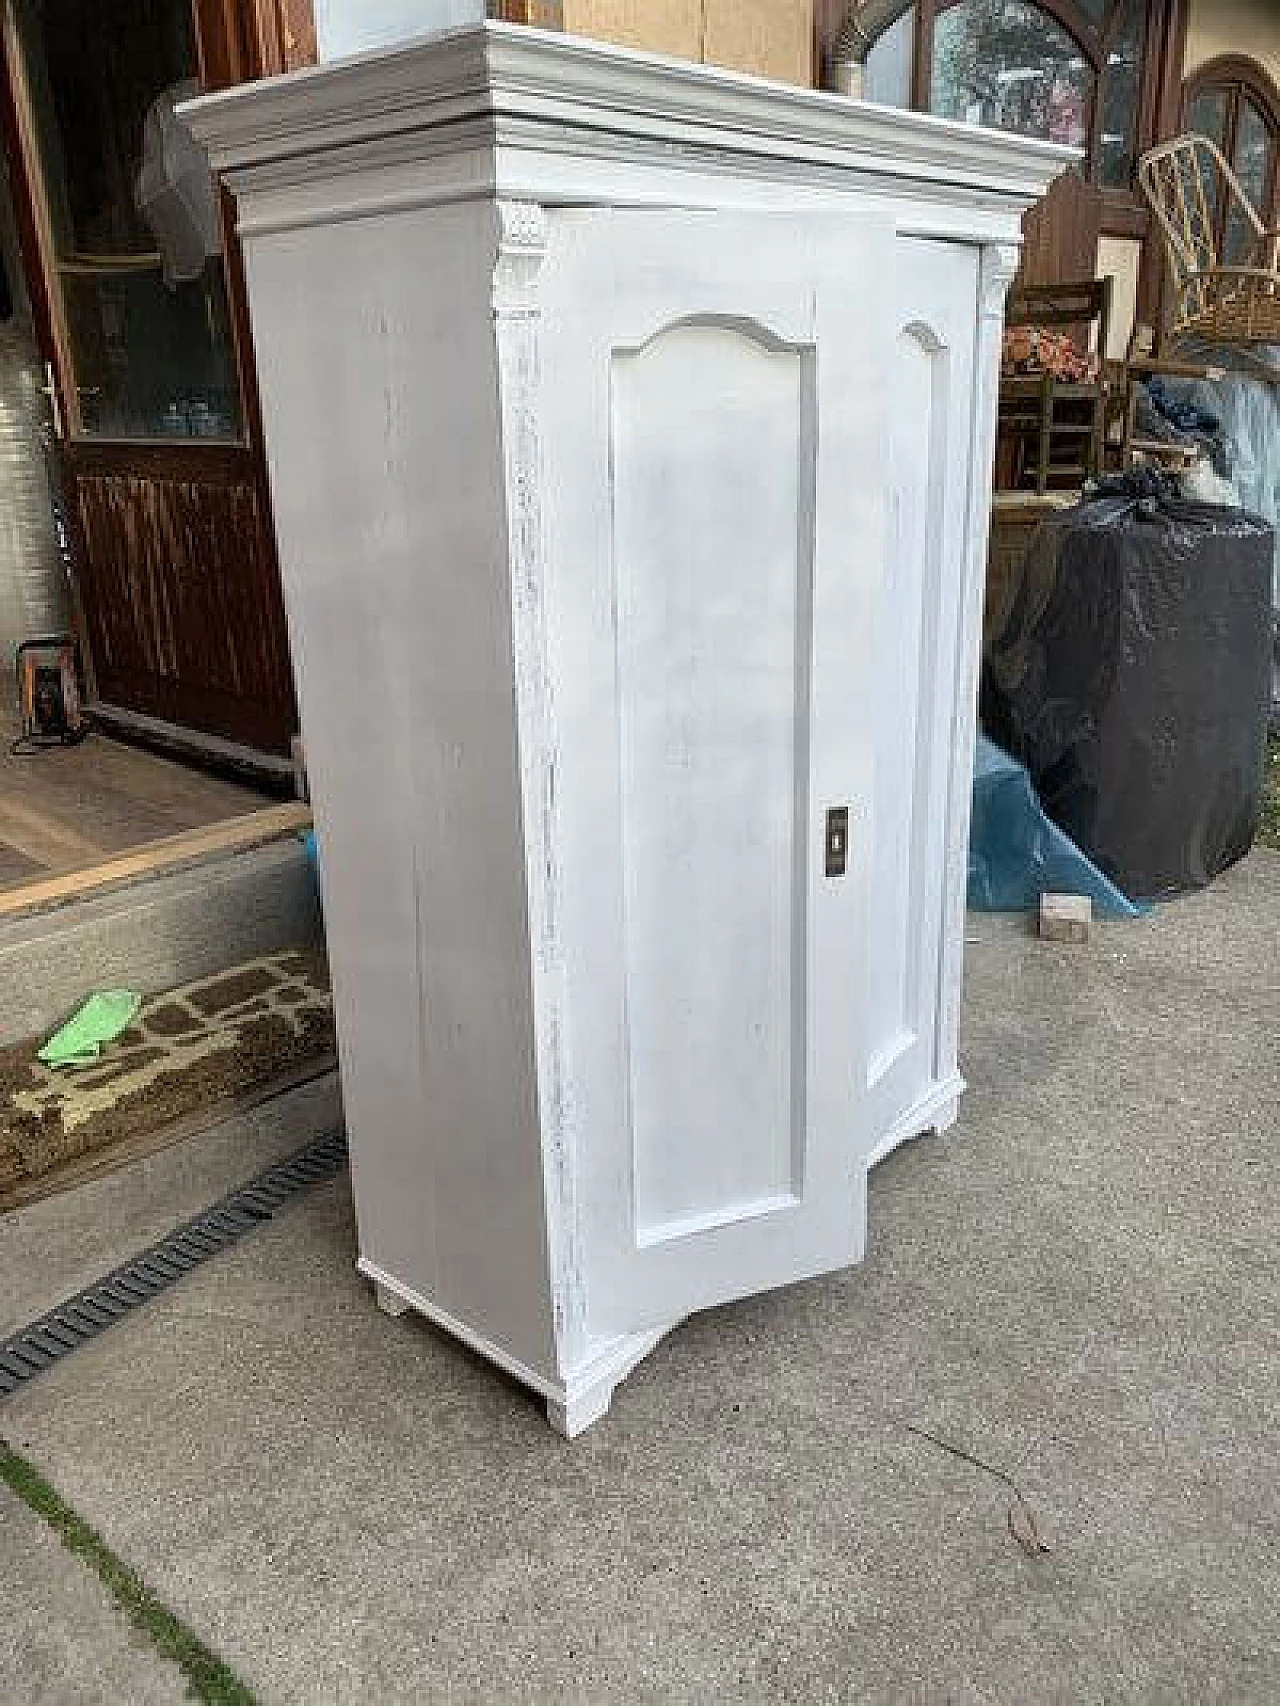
(629, 431)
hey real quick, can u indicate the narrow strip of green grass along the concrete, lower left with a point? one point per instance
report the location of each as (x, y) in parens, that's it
(207, 1678)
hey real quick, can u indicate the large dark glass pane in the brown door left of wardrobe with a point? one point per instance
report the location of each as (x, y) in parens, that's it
(132, 216)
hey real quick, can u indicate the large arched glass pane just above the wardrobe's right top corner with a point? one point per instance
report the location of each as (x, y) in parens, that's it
(1011, 66)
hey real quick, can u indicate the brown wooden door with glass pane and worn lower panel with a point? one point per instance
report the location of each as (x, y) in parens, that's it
(137, 293)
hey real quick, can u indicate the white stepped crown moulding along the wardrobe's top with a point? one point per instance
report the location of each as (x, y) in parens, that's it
(515, 98)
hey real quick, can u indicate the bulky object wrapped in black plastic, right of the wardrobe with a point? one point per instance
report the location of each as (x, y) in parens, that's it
(1132, 680)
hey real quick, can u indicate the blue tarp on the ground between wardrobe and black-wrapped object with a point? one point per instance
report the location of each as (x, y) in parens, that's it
(1018, 854)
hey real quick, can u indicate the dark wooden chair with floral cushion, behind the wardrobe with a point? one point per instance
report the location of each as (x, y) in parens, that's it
(1052, 432)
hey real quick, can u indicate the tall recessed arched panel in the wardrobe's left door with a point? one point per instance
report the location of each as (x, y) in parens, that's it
(714, 603)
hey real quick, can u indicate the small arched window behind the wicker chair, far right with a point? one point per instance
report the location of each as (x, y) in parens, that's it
(1236, 105)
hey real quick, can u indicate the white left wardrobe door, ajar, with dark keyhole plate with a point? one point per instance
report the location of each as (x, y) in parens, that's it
(718, 581)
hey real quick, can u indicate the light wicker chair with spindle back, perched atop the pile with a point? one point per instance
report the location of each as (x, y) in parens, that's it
(1187, 182)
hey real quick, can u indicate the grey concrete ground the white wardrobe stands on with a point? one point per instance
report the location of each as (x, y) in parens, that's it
(1081, 1287)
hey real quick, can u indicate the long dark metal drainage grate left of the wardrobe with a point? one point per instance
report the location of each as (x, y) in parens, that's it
(73, 1325)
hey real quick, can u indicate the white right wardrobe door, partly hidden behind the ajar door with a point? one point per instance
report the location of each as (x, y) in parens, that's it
(917, 663)
